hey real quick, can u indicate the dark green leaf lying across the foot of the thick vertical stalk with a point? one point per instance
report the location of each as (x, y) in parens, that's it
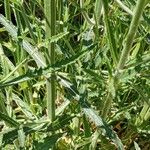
(41, 126)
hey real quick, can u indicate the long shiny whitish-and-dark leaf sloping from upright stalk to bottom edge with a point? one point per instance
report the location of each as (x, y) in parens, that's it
(92, 115)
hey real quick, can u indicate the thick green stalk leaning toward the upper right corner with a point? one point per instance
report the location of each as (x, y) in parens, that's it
(127, 45)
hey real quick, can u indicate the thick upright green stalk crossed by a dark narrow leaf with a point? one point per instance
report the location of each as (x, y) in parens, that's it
(50, 13)
